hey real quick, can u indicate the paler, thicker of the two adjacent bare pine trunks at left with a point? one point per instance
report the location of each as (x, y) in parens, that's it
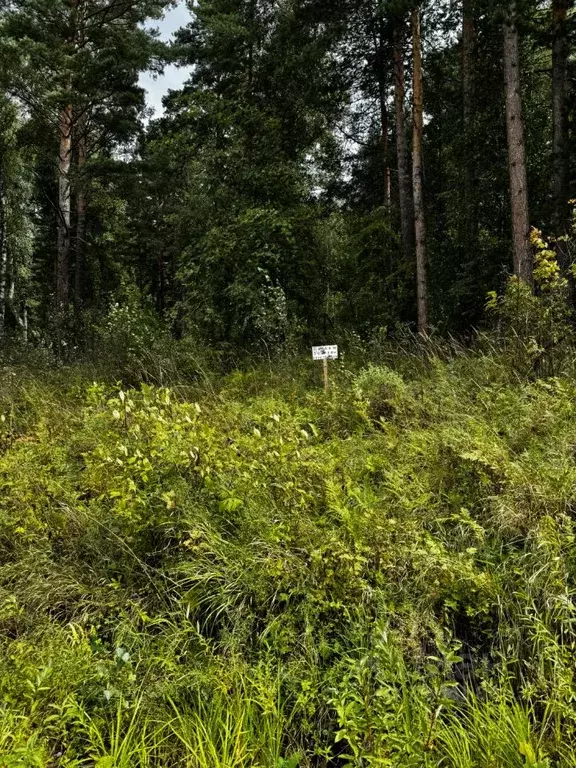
(64, 211)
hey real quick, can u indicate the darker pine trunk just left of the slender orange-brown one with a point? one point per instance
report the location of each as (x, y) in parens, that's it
(403, 158)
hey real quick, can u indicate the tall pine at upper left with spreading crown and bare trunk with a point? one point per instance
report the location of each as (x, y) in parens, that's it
(75, 67)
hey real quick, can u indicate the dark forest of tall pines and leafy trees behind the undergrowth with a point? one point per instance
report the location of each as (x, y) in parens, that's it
(327, 168)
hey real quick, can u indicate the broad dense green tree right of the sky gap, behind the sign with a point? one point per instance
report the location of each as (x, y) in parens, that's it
(254, 109)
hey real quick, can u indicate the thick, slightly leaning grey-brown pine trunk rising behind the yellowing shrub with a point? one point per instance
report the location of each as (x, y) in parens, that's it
(522, 250)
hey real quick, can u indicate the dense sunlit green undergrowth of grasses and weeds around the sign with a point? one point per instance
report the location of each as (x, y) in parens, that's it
(259, 574)
